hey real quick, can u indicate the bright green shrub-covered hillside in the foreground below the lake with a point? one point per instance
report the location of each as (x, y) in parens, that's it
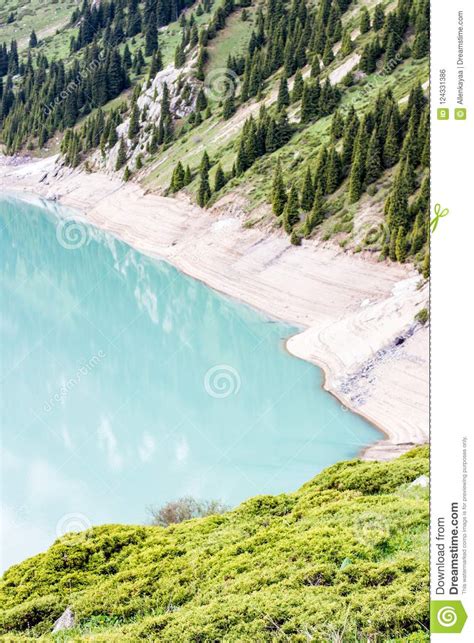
(345, 558)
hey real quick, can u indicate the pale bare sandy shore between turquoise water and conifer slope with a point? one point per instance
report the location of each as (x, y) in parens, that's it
(352, 309)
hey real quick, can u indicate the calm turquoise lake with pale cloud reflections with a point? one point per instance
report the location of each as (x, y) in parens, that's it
(125, 383)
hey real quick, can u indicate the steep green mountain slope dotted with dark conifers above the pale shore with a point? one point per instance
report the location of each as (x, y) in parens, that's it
(229, 98)
